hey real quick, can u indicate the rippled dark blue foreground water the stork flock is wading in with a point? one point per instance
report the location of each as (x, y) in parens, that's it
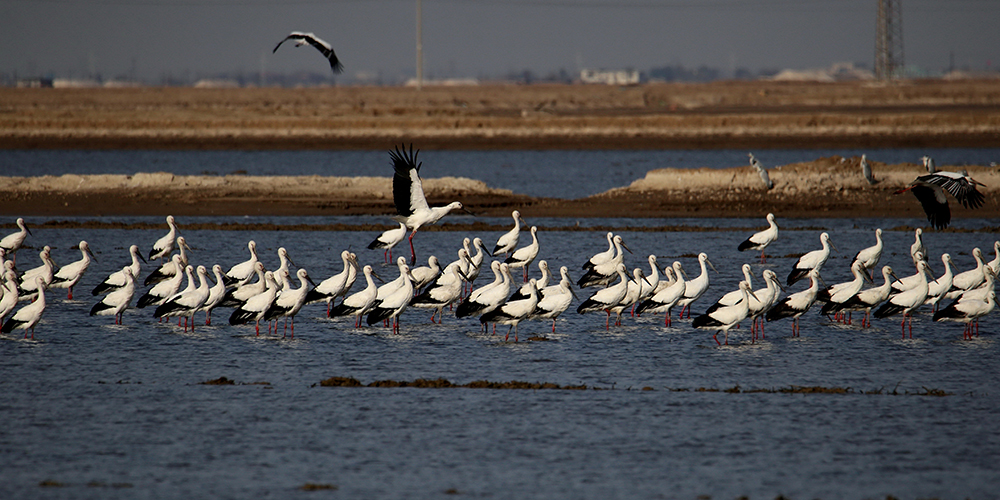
(118, 412)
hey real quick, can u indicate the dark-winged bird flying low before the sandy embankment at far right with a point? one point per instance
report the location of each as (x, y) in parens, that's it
(930, 192)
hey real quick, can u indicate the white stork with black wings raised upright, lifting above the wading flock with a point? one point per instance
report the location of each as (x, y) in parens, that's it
(408, 195)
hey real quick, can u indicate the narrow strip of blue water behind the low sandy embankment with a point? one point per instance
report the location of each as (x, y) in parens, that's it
(564, 174)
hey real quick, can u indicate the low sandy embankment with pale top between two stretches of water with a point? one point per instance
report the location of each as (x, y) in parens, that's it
(826, 187)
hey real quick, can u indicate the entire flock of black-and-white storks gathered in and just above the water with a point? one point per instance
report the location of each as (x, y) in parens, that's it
(256, 294)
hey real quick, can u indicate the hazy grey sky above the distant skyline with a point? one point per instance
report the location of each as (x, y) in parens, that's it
(479, 37)
